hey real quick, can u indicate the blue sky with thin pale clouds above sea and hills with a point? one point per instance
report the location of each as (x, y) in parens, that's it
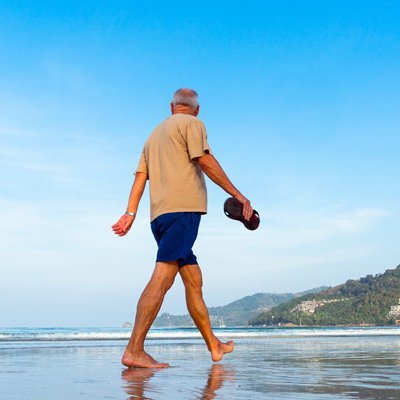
(301, 102)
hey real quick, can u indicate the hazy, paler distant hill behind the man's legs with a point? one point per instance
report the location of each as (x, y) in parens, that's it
(237, 313)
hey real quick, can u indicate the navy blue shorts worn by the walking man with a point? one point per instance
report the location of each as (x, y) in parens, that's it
(175, 234)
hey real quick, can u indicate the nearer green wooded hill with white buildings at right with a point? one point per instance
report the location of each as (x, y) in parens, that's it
(372, 300)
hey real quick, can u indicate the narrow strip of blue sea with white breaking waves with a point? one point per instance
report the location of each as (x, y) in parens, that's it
(95, 334)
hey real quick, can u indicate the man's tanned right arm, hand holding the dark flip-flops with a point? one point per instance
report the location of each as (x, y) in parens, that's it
(214, 171)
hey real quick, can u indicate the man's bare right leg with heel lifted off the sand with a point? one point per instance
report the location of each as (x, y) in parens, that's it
(192, 279)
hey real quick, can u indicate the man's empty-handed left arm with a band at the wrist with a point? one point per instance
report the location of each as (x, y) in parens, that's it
(123, 225)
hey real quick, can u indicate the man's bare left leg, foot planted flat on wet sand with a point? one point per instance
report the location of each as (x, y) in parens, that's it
(147, 309)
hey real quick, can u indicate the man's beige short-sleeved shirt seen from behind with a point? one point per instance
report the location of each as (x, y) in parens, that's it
(176, 181)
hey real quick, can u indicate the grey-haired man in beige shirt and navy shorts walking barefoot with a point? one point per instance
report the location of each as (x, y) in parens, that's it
(173, 161)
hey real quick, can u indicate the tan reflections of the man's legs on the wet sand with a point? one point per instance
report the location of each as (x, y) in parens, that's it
(138, 385)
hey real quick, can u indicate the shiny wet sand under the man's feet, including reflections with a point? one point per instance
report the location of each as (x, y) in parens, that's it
(273, 368)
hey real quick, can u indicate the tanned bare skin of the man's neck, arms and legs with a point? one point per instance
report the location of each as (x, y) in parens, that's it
(165, 272)
